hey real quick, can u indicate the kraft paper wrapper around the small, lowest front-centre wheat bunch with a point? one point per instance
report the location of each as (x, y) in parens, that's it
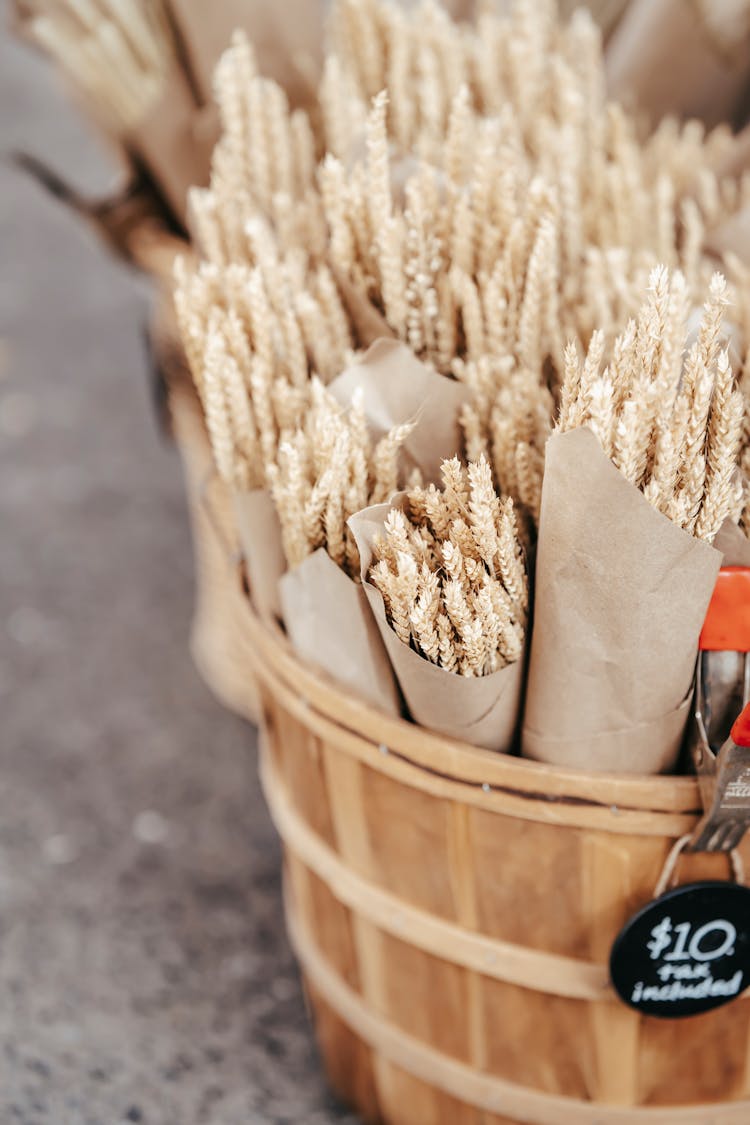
(484, 710)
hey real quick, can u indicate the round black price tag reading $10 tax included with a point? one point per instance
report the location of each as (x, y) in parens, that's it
(686, 952)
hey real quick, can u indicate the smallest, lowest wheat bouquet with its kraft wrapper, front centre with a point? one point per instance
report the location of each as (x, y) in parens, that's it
(445, 574)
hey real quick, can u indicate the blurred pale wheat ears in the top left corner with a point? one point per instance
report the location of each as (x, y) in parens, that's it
(118, 52)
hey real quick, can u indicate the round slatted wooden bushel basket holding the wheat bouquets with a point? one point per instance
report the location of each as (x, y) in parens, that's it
(453, 912)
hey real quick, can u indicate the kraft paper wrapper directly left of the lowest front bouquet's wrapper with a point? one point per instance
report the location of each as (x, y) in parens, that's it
(330, 625)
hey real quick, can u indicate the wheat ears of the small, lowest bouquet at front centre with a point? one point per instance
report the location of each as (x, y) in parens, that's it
(453, 575)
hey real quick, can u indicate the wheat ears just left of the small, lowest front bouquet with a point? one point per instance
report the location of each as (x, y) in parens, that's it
(329, 469)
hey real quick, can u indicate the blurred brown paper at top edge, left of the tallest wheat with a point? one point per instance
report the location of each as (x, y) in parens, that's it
(287, 39)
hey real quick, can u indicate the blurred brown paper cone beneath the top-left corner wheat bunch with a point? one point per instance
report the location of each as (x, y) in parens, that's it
(176, 141)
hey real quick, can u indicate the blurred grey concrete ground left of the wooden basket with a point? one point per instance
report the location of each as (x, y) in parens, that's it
(144, 971)
